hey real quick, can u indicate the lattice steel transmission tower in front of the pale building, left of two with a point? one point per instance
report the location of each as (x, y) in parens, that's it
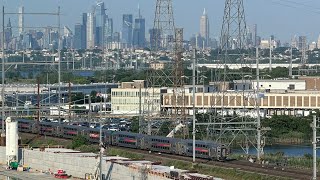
(166, 43)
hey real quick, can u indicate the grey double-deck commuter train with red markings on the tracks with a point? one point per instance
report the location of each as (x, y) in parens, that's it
(204, 149)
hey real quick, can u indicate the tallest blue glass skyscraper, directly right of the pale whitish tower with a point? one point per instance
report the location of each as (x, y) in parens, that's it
(101, 16)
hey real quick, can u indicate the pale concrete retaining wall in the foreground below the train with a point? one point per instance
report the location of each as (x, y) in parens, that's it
(78, 166)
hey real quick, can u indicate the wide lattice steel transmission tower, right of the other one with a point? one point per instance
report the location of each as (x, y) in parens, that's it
(229, 122)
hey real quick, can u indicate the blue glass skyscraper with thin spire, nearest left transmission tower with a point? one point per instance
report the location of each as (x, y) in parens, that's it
(139, 31)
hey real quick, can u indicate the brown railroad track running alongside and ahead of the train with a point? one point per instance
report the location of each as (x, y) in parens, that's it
(230, 164)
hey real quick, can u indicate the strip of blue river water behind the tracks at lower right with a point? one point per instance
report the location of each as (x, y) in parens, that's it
(288, 150)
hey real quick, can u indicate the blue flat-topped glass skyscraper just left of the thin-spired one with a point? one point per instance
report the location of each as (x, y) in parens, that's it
(127, 29)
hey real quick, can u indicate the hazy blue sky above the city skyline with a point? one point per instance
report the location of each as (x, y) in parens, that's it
(283, 18)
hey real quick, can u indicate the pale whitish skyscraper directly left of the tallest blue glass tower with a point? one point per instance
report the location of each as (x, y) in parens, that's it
(91, 24)
